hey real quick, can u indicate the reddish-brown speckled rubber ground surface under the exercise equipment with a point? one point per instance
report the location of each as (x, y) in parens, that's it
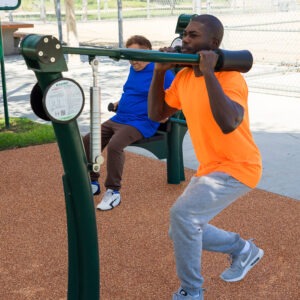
(136, 255)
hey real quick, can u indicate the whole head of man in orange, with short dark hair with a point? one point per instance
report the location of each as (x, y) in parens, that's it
(204, 32)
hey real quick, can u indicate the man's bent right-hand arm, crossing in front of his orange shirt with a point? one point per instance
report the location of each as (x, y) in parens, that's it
(227, 113)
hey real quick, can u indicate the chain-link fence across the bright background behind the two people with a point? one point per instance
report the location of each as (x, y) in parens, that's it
(270, 29)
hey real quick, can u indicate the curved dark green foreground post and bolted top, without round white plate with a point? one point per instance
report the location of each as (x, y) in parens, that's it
(43, 55)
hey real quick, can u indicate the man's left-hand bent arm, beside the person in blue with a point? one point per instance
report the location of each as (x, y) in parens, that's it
(158, 109)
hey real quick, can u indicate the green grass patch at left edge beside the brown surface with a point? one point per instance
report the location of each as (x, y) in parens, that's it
(23, 132)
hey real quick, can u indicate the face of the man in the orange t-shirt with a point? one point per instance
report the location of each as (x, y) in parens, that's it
(196, 38)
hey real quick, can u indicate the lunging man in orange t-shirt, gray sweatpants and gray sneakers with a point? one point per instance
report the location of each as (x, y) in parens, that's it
(216, 112)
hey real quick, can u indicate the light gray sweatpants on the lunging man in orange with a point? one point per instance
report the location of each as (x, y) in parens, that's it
(203, 199)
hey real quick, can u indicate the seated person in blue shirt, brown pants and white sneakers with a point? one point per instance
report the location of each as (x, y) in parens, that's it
(131, 123)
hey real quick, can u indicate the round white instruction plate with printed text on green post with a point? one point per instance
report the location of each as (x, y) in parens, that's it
(63, 100)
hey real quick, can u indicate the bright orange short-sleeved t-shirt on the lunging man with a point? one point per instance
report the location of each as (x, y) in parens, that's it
(234, 153)
